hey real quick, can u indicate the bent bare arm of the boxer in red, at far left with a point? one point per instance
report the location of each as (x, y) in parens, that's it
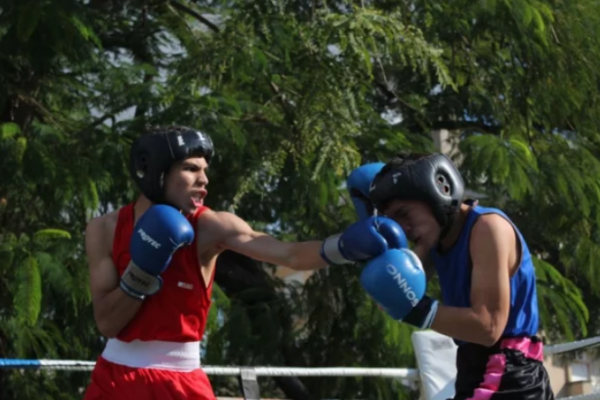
(113, 309)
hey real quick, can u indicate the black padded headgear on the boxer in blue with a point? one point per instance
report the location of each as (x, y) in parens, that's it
(432, 179)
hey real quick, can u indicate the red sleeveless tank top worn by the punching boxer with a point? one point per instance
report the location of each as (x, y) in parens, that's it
(178, 312)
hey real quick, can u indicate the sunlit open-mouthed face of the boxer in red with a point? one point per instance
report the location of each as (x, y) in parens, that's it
(186, 183)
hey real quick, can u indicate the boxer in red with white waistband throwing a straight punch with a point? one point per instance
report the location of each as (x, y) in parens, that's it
(152, 266)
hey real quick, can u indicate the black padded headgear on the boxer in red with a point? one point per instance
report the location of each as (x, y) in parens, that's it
(153, 154)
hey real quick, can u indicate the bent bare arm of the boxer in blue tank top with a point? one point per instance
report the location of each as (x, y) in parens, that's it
(492, 243)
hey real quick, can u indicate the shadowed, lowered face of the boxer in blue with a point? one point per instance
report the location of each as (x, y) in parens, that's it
(417, 221)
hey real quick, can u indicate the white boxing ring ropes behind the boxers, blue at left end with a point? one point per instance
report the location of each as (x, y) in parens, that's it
(249, 374)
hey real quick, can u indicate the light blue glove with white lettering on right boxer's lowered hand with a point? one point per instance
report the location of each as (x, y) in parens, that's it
(397, 282)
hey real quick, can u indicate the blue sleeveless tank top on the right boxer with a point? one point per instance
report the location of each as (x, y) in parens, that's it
(454, 271)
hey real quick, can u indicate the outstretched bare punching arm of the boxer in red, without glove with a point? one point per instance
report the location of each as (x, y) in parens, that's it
(230, 232)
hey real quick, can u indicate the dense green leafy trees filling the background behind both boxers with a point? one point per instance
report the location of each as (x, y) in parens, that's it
(293, 95)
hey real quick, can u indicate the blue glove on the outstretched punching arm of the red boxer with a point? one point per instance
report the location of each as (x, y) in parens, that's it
(363, 240)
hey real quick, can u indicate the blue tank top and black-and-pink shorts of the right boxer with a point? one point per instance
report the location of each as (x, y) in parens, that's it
(513, 367)
